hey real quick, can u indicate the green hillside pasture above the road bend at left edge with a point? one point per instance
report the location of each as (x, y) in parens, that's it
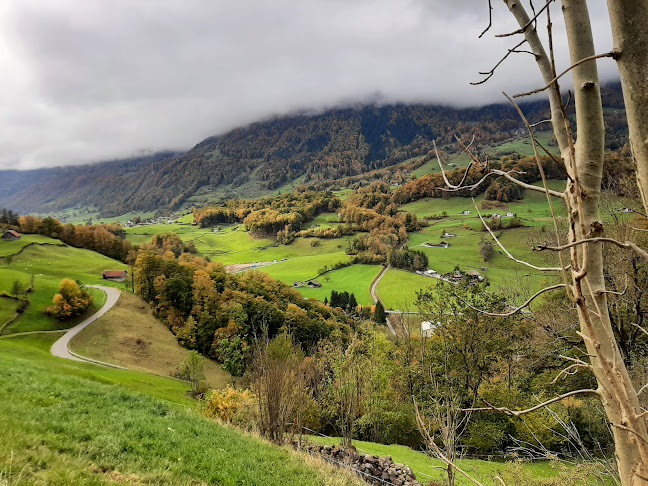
(49, 264)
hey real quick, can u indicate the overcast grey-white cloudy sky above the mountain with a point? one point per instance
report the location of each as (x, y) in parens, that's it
(91, 80)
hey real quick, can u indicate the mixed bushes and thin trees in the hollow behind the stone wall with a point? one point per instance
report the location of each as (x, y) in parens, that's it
(364, 387)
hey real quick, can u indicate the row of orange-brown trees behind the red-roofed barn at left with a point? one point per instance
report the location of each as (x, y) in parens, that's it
(106, 239)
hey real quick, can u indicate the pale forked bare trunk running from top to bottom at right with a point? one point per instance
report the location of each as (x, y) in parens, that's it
(584, 164)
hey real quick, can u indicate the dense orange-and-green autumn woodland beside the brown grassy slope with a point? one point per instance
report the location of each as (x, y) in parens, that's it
(219, 314)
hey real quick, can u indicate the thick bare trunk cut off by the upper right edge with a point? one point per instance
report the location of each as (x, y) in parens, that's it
(628, 20)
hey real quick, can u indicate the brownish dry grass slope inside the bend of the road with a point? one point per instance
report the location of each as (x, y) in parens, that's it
(130, 336)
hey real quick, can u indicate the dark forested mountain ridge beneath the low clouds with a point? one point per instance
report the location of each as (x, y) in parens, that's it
(305, 147)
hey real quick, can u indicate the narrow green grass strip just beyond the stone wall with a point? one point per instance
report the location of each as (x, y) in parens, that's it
(427, 469)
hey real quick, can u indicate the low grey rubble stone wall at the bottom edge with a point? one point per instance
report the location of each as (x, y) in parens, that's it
(381, 471)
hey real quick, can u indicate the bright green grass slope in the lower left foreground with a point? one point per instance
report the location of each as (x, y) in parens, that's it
(67, 423)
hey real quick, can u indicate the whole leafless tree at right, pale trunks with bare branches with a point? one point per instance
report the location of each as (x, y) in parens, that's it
(581, 259)
